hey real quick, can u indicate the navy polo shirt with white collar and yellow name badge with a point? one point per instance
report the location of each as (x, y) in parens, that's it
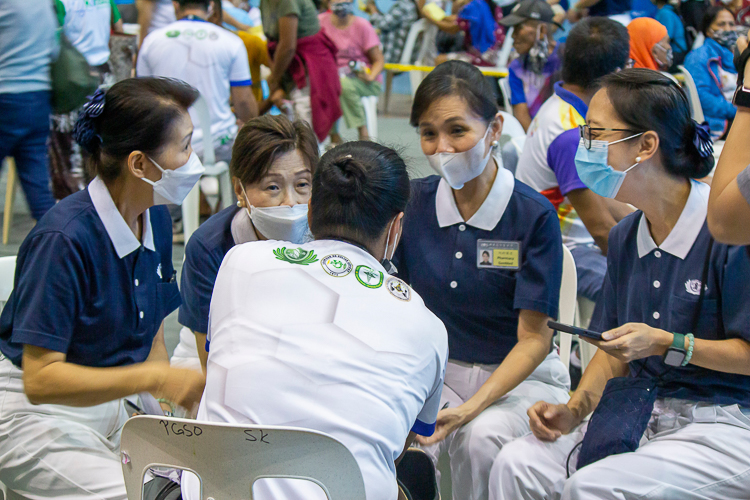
(439, 256)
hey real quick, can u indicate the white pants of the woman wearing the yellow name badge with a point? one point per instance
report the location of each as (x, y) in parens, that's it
(474, 446)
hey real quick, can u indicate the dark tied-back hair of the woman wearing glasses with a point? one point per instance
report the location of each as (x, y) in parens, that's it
(647, 100)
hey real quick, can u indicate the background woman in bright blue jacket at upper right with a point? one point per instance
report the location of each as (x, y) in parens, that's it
(712, 68)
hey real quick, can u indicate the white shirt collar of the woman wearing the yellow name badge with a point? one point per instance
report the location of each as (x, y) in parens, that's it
(491, 211)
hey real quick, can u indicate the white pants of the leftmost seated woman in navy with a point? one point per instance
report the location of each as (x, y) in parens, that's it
(54, 451)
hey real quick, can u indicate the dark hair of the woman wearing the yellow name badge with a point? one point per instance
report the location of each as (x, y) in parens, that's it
(455, 78)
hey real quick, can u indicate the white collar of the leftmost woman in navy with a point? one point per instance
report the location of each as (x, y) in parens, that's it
(118, 230)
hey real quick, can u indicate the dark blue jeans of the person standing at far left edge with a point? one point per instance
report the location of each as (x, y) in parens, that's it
(24, 128)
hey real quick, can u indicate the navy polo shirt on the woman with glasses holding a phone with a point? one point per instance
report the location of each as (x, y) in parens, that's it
(660, 286)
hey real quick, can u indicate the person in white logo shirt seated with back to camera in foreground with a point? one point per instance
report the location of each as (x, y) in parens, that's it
(318, 336)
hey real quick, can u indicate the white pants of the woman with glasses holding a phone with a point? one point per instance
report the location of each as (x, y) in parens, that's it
(689, 451)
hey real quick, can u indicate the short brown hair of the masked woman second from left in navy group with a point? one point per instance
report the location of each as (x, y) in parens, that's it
(264, 139)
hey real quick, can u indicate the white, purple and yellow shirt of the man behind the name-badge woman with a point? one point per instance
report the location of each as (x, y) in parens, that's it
(547, 162)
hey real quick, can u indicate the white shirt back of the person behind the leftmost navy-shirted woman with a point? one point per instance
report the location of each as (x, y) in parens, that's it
(207, 57)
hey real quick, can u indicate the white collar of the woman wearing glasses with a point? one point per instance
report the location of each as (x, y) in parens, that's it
(680, 240)
